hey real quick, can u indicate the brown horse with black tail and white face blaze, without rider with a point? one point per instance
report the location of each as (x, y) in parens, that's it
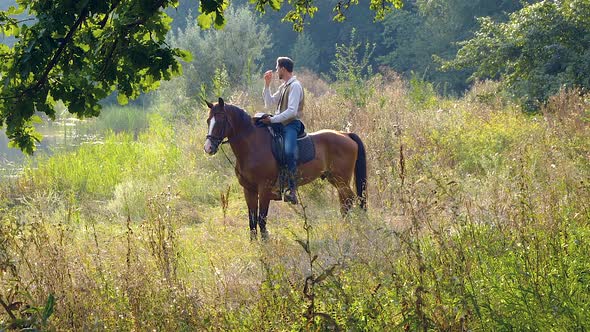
(338, 156)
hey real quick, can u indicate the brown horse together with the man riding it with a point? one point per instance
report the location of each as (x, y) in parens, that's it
(335, 156)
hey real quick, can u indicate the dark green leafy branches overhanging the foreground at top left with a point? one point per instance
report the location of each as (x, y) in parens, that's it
(81, 51)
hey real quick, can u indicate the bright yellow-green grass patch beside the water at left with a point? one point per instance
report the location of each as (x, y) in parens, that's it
(96, 168)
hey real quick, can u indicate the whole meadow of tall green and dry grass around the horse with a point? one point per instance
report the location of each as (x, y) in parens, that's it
(478, 220)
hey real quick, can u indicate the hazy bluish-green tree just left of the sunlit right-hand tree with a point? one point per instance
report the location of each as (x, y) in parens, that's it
(425, 28)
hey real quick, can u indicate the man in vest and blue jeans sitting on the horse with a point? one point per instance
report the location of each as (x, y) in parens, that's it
(289, 101)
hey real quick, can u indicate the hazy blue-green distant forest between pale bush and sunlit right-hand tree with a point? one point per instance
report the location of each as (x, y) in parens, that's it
(405, 41)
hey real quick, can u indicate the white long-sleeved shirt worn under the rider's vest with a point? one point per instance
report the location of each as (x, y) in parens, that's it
(272, 100)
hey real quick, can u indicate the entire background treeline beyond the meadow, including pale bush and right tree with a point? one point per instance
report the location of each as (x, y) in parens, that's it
(535, 48)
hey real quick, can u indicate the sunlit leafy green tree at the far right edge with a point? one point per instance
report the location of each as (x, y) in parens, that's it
(541, 49)
